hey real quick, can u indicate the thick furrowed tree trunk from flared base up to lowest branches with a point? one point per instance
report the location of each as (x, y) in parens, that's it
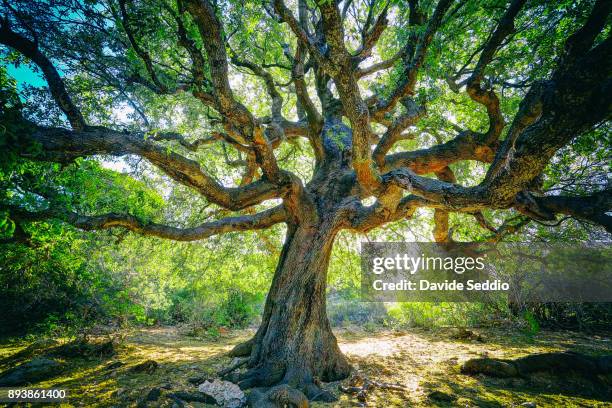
(295, 344)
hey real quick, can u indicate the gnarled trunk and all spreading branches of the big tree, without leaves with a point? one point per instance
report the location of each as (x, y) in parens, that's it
(295, 344)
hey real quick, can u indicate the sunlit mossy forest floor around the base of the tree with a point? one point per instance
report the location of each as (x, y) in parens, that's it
(426, 363)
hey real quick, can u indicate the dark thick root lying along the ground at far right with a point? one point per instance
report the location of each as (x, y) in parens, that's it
(556, 362)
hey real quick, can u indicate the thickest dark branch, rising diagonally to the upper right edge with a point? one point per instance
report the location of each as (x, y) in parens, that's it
(572, 103)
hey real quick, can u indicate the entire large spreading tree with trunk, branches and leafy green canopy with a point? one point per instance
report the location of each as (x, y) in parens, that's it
(326, 116)
